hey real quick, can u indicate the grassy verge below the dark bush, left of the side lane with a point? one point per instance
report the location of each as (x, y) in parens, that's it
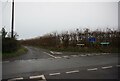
(19, 52)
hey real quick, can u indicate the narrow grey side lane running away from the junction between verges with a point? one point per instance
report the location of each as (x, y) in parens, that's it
(33, 53)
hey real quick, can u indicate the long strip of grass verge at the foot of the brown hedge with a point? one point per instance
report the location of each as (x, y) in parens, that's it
(84, 49)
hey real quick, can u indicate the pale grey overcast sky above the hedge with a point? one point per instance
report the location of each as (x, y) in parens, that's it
(34, 19)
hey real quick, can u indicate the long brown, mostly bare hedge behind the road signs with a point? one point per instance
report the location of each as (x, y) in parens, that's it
(77, 38)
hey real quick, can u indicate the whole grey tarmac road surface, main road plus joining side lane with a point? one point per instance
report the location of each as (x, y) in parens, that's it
(41, 62)
